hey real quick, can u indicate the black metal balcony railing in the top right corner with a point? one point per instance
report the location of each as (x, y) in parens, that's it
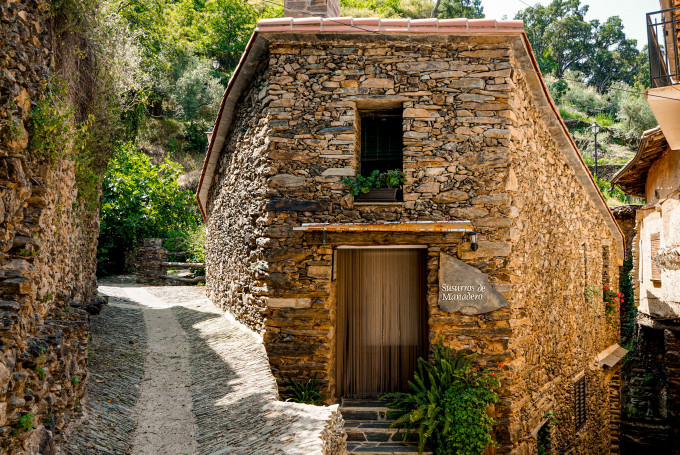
(662, 35)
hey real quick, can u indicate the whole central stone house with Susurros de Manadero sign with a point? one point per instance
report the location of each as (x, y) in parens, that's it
(352, 291)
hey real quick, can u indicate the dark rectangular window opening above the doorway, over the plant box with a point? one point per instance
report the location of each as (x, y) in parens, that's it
(381, 141)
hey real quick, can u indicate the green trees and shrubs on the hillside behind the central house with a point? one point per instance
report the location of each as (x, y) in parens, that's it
(594, 72)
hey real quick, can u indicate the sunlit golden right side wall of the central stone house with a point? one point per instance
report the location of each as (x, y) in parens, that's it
(560, 246)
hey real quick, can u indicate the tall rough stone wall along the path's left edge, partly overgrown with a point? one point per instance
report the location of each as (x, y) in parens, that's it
(47, 252)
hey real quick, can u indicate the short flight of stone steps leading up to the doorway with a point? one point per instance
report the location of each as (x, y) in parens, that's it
(369, 433)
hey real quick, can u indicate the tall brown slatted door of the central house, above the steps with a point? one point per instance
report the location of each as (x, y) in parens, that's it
(381, 319)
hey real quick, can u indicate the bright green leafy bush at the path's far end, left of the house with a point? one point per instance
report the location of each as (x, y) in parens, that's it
(140, 200)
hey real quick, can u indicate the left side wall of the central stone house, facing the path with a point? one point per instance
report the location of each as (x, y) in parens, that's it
(236, 229)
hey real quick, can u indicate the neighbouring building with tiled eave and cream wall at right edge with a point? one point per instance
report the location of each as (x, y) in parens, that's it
(652, 392)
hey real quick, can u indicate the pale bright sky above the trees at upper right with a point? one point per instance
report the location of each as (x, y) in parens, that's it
(631, 12)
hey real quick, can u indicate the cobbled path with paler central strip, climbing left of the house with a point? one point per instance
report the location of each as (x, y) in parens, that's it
(171, 374)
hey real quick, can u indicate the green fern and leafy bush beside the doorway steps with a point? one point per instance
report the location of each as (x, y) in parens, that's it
(447, 404)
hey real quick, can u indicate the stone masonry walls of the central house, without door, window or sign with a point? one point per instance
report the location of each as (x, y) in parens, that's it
(475, 149)
